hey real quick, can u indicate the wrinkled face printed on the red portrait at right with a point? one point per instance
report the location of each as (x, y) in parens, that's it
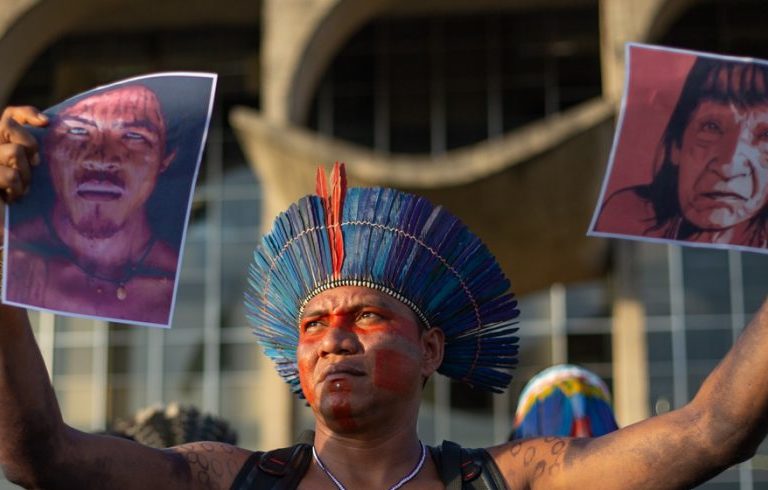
(723, 165)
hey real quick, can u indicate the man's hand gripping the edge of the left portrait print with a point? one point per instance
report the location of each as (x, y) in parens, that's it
(18, 150)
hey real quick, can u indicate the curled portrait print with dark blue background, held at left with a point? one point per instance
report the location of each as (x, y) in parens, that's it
(100, 233)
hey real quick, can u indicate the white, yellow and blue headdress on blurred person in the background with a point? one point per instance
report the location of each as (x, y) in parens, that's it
(564, 400)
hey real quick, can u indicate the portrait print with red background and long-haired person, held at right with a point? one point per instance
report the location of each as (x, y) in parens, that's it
(689, 162)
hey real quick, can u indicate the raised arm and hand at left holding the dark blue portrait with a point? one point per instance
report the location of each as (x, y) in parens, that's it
(37, 449)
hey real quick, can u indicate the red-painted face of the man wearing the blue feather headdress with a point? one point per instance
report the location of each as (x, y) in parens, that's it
(359, 350)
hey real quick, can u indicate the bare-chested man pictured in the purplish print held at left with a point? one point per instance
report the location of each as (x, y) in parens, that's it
(94, 252)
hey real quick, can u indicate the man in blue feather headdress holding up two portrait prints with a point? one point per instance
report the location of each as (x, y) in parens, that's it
(359, 297)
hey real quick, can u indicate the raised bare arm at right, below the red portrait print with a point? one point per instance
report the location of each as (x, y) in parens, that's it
(723, 425)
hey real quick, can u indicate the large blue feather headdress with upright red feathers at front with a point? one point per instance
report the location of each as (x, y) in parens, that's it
(394, 242)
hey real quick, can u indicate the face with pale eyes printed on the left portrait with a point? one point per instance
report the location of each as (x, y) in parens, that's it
(105, 153)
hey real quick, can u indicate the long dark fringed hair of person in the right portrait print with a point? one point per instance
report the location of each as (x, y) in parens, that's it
(733, 82)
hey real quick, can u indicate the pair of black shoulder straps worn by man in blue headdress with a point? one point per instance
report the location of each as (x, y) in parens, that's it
(283, 469)
